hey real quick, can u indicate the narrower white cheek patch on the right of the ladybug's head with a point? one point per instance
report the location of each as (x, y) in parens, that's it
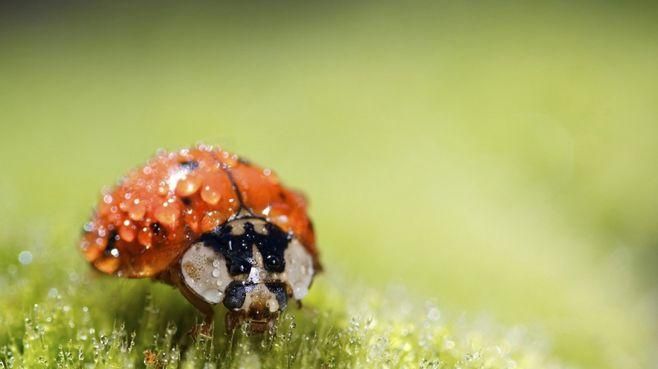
(299, 268)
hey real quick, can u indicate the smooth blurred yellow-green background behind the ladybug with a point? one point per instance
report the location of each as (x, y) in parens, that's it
(499, 159)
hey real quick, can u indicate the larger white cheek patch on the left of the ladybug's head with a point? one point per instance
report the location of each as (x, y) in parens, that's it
(205, 273)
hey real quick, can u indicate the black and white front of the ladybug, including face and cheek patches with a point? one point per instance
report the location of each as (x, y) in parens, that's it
(250, 265)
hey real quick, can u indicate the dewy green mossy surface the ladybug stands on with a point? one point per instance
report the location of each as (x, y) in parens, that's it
(82, 322)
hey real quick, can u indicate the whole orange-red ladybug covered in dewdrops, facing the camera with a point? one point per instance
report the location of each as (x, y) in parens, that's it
(214, 226)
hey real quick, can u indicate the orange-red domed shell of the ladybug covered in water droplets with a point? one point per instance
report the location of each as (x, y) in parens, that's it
(157, 211)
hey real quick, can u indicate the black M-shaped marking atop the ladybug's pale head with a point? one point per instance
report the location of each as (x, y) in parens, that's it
(238, 249)
